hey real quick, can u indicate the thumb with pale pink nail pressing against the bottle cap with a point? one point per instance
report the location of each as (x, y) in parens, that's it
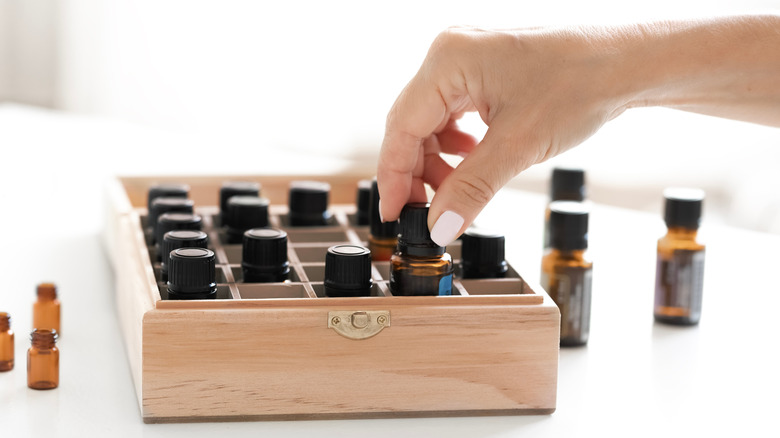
(467, 190)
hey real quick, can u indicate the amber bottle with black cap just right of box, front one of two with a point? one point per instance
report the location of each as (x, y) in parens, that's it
(567, 270)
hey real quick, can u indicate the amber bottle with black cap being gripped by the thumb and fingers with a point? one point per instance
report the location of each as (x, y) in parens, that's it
(419, 266)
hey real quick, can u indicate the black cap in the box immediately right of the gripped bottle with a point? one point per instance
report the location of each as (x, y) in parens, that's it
(482, 254)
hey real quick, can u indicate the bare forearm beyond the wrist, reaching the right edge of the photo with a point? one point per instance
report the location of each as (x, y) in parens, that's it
(727, 67)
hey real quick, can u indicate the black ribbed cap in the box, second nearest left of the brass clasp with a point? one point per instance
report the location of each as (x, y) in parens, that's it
(265, 250)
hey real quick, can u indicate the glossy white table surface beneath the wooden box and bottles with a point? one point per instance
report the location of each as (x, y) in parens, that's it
(634, 377)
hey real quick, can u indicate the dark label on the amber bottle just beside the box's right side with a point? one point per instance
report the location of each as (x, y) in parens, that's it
(570, 288)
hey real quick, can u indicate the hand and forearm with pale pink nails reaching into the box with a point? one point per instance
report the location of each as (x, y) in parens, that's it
(543, 91)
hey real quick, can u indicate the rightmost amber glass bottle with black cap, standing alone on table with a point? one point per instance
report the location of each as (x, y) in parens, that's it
(679, 274)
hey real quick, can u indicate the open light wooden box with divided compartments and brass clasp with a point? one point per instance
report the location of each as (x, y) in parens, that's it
(273, 351)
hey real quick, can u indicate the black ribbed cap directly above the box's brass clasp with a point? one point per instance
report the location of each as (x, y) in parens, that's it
(347, 271)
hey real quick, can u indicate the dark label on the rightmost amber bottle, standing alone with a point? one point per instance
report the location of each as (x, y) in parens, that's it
(679, 282)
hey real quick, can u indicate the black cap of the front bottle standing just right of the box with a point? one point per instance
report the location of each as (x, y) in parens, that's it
(568, 225)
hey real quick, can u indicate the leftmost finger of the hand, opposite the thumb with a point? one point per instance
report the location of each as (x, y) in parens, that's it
(417, 112)
